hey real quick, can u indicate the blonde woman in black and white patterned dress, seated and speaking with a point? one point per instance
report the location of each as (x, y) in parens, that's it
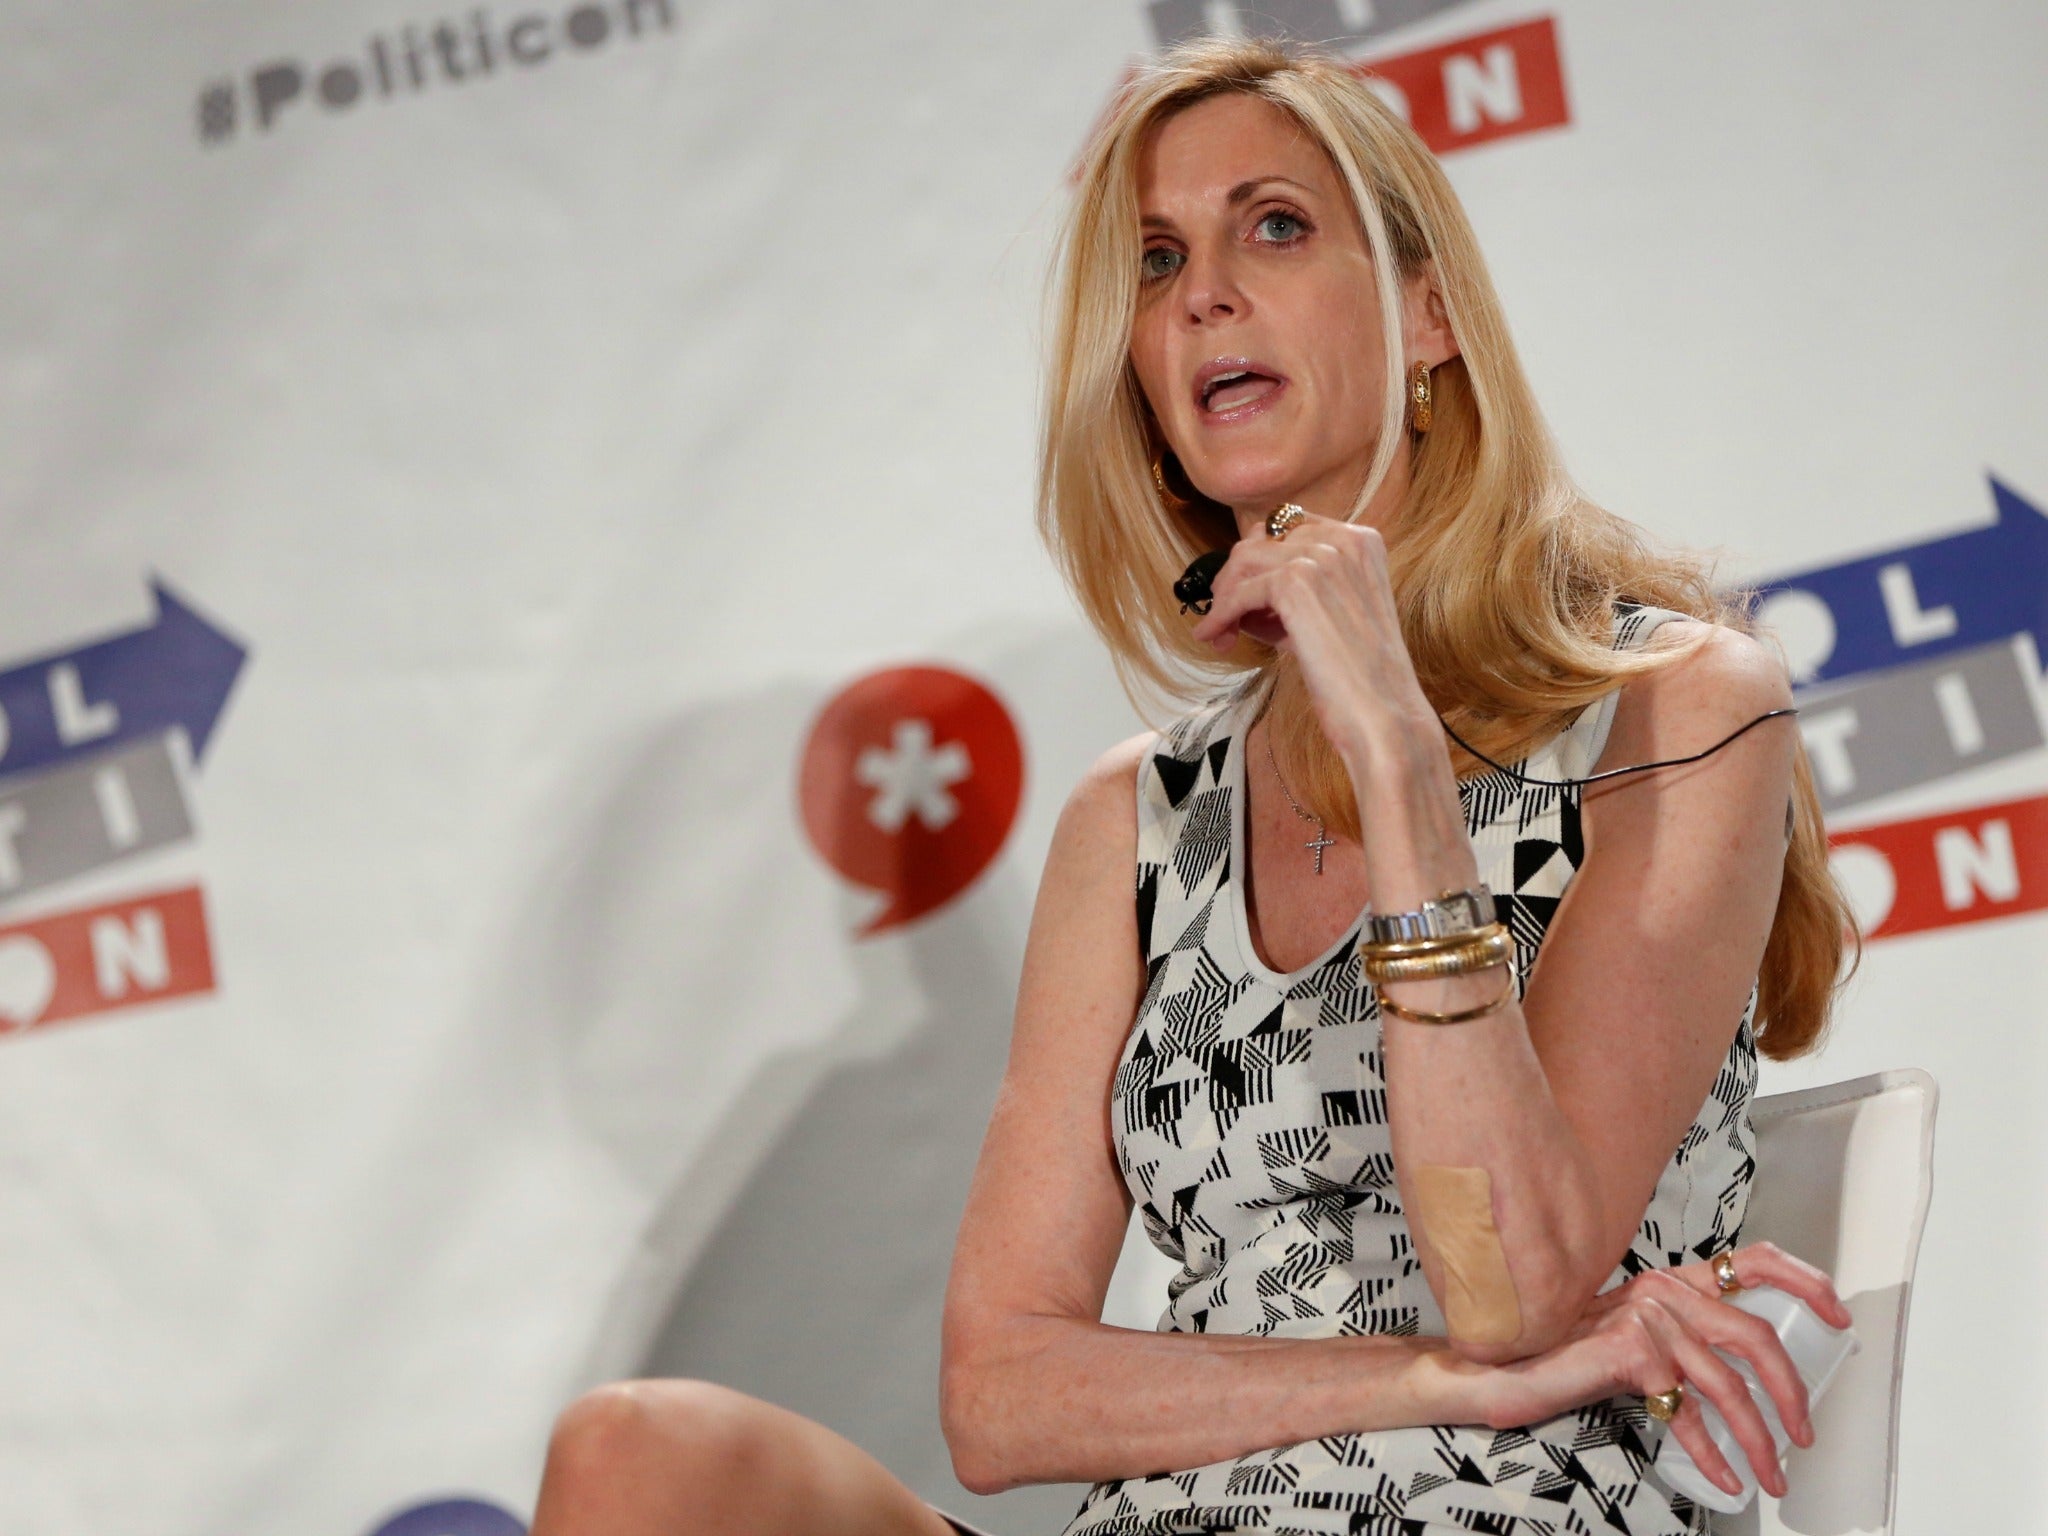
(1453, 1213)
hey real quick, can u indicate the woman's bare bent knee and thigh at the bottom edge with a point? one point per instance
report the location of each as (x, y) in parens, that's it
(679, 1457)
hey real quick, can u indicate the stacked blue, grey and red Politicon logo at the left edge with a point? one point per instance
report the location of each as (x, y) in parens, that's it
(99, 744)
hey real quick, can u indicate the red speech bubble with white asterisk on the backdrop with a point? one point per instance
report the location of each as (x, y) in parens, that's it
(910, 785)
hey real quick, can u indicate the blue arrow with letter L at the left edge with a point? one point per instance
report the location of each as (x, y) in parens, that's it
(146, 681)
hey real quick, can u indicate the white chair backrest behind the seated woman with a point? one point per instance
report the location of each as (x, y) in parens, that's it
(1844, 1175)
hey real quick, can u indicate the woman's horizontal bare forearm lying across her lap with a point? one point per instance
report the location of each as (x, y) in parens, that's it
(1060, 1400)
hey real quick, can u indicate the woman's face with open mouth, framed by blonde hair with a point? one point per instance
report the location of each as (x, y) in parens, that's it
(1258, 329)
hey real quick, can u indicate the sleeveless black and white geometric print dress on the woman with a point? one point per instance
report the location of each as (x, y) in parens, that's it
(1250, 1121)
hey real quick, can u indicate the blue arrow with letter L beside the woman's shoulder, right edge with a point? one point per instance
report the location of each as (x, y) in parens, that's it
(1945, 595)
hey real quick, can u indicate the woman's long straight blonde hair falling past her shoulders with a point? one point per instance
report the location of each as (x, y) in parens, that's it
(1506, 574)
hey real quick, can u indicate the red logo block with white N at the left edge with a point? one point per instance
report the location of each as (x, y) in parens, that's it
(97, 959)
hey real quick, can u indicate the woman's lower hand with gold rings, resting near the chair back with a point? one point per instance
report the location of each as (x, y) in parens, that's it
(1660, 1330)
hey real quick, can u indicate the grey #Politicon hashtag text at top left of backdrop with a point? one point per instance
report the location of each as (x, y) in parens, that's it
(417, 58)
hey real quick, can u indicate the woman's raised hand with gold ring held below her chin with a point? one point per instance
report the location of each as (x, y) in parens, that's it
(1324, 595)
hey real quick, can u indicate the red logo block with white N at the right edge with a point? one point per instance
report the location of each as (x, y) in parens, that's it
(1938, 871)
